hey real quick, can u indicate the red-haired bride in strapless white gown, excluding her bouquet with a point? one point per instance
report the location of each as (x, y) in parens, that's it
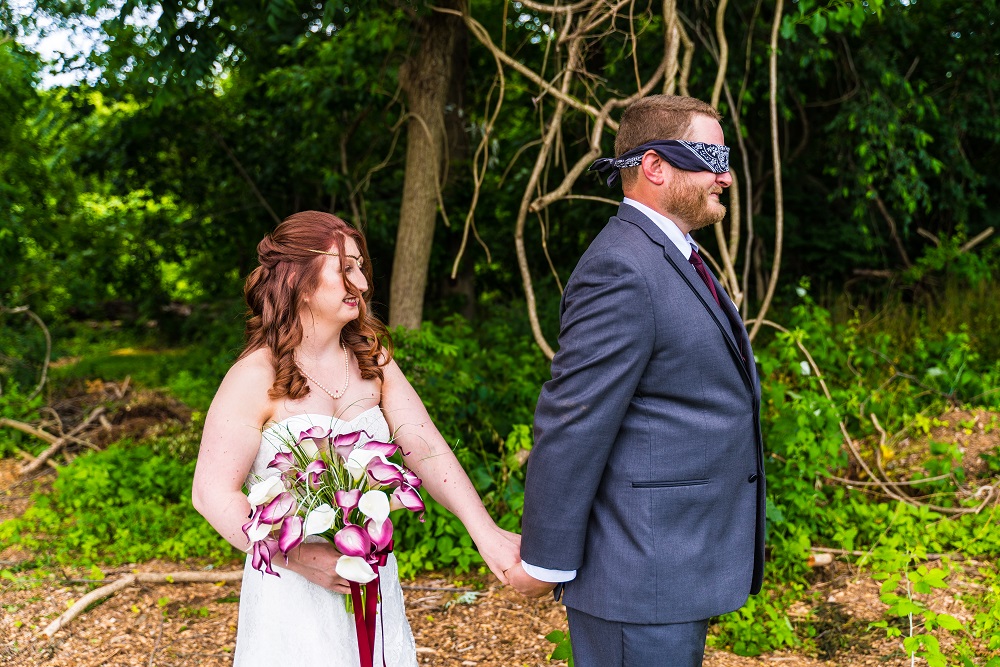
(316, 355)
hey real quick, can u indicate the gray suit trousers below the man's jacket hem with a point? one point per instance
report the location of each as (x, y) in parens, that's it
(600, 643)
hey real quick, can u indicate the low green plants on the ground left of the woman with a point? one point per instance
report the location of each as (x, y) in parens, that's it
(124, 504)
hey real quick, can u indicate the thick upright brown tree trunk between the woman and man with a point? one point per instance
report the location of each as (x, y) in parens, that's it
(425, 78)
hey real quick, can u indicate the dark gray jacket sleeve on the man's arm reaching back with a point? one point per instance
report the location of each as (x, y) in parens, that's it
(605, 342)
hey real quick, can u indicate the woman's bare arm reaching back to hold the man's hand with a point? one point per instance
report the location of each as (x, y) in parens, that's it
(428, 455)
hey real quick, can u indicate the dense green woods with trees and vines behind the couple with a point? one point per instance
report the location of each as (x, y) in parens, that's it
(859, 248)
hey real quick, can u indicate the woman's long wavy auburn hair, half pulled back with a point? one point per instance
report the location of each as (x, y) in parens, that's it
(289, 272)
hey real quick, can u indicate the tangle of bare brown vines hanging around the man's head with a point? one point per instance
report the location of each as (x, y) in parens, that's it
(573, 33)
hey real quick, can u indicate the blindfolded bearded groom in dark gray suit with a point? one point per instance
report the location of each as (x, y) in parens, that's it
(644, 501)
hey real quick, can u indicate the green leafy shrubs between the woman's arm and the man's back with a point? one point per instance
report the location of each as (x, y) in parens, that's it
(479, 390)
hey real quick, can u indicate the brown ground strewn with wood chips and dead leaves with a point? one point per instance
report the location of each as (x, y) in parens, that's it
(457, 620)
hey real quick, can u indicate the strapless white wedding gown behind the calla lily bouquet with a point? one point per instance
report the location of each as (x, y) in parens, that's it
(289, 621)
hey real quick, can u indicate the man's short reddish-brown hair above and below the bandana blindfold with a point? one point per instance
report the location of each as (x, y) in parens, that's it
(657, 117)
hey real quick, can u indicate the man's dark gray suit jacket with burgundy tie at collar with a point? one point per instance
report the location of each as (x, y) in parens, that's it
(646, 474)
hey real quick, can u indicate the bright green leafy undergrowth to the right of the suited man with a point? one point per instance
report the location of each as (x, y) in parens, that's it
(867, 370)
